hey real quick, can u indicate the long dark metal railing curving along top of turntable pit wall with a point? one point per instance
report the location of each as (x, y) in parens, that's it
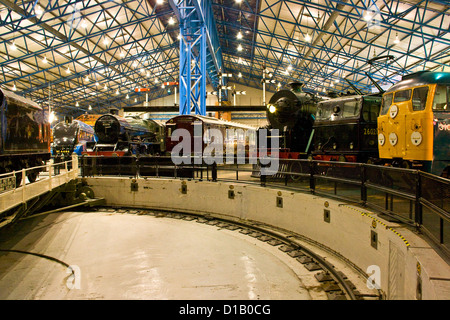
(413, 197)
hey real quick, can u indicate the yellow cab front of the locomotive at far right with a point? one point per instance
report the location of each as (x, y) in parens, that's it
(406, 124)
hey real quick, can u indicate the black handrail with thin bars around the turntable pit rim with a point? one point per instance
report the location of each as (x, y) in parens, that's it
(393, 183)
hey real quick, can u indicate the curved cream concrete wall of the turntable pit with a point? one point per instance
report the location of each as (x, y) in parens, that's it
(349, 231)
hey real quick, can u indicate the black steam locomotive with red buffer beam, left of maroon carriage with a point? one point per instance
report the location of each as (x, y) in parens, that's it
(120, 136)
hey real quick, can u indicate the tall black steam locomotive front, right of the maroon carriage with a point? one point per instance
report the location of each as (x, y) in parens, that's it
(292, 112)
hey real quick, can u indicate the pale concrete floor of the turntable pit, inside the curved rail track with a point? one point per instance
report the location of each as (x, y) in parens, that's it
(127, 256)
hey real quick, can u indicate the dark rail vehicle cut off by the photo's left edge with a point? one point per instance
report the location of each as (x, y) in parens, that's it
(25, 136)
